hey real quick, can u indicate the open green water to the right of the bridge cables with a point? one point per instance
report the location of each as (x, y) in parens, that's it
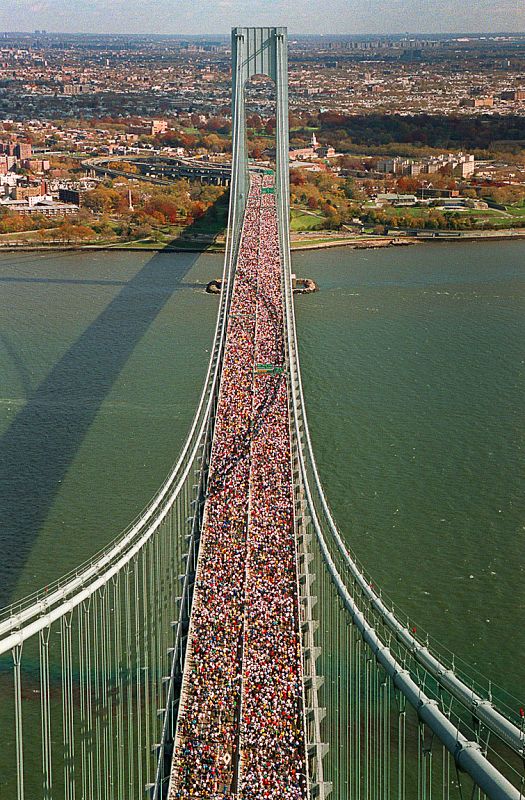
(413, 364)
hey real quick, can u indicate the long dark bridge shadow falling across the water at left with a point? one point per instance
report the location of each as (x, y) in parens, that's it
(43, 439)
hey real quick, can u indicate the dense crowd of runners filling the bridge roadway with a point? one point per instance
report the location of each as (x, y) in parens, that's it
(240, 729)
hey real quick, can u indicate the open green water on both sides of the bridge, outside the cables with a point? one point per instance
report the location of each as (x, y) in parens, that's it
(413, 367)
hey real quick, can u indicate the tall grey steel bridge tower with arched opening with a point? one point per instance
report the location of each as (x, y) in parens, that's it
(260, 51)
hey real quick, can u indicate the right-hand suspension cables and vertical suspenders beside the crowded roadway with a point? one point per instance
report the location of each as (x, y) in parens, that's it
(400, 715)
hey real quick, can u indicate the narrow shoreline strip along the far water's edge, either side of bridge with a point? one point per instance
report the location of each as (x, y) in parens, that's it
(296, 246)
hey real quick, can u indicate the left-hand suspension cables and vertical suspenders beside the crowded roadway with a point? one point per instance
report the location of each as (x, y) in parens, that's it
(88, 665)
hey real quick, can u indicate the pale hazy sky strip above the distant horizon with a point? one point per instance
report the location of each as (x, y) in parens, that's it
(301, 16)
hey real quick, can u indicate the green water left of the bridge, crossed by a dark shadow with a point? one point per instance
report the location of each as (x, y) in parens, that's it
(102, 358)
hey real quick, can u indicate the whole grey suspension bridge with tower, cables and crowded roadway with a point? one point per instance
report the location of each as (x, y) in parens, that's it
(228, 643)
